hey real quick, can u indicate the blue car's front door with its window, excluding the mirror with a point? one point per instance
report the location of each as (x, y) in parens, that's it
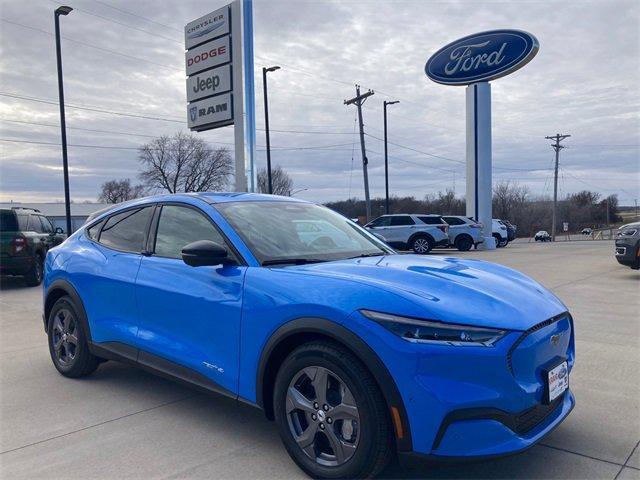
(189, 316)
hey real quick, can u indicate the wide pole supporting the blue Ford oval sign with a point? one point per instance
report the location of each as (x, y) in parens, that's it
(479, 188)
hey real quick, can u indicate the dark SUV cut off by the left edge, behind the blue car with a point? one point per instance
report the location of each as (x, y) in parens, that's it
(25, 237)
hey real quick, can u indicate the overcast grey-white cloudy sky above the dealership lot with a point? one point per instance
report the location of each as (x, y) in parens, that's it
(126, 57)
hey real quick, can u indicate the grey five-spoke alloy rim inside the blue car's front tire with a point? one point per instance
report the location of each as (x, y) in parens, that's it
(322, 415)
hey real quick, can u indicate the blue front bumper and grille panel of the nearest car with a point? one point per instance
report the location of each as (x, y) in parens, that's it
(468, 402)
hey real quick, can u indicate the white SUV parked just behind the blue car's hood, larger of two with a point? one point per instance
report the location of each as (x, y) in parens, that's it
(419, 233)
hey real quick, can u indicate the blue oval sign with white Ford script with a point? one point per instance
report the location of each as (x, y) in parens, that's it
(482, 57)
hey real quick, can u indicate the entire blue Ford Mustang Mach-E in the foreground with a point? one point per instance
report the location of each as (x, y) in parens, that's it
(356, 352)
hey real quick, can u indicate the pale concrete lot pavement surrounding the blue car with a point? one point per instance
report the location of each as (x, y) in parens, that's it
(125, 423)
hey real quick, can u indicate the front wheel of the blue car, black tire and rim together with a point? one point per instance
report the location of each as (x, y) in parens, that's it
(330, 413)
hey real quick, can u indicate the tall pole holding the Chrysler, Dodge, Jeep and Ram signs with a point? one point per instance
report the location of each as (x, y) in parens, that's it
(238, 96)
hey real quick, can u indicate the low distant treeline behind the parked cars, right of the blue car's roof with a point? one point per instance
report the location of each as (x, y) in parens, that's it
(511, 201)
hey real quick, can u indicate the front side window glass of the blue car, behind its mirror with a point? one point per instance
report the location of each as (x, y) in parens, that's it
(179, 226)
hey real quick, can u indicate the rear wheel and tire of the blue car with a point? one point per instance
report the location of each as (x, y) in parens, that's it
(68, 345)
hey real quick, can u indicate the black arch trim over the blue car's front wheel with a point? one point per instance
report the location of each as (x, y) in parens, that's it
(344, 336)
